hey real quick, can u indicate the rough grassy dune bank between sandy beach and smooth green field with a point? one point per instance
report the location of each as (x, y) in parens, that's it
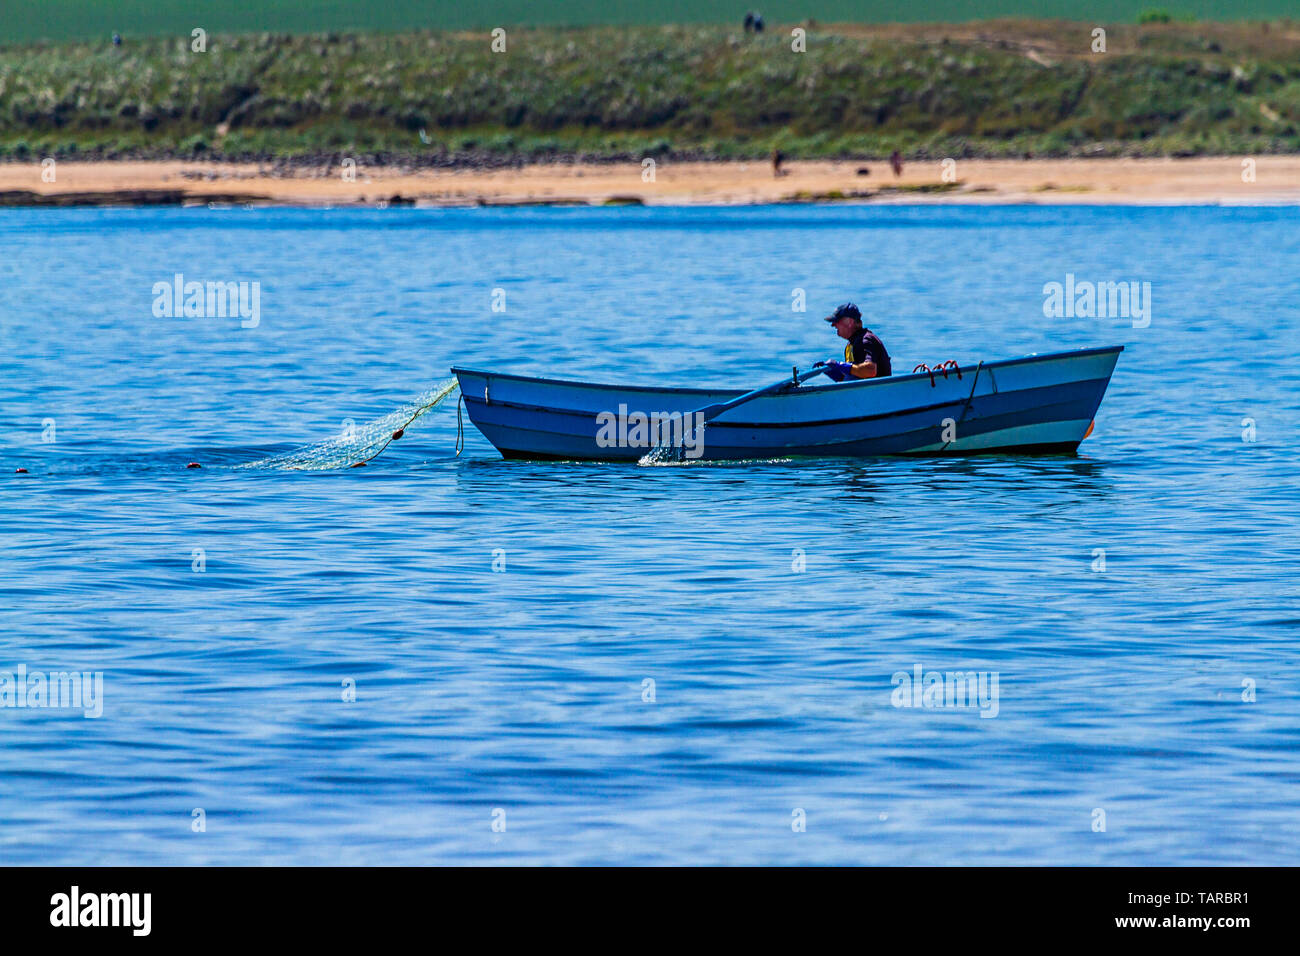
(990, 89)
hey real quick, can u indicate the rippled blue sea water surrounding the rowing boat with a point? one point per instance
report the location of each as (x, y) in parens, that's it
(1138, 603)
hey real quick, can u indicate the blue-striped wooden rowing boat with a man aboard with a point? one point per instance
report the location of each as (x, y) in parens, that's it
(1038, 404)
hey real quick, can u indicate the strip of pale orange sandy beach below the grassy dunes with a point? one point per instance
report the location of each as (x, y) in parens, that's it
(1124, 181)
